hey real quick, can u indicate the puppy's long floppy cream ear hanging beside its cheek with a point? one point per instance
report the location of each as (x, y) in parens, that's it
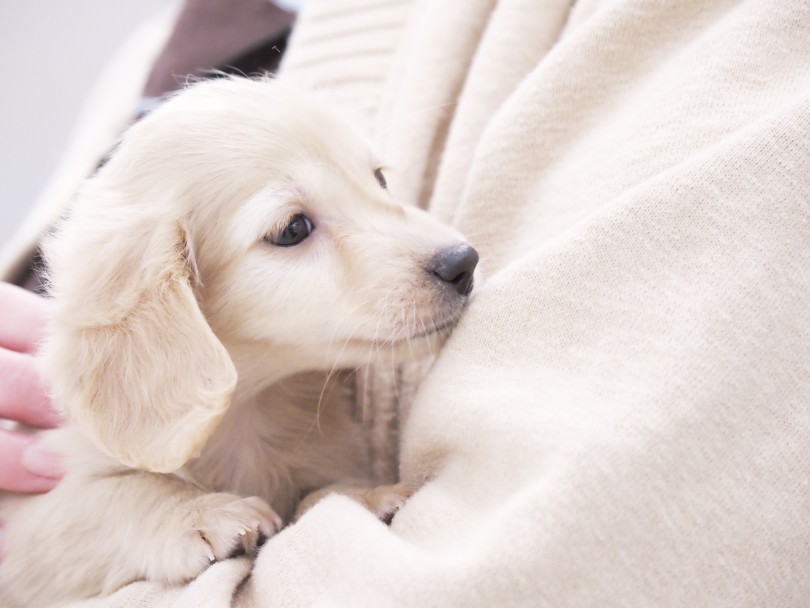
(131, 358)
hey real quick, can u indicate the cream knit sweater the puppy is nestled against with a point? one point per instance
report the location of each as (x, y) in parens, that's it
(622, 416)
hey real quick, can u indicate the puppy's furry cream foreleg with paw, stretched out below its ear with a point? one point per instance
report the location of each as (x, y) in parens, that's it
(93, 534)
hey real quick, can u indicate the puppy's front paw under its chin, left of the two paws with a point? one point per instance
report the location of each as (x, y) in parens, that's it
(218, 526)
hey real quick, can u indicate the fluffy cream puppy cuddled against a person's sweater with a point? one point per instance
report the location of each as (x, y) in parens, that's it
(240, 234)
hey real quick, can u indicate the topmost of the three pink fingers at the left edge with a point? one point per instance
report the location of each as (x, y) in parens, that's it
(23, 316)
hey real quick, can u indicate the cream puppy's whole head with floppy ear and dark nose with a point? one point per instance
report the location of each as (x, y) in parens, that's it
(242, 218)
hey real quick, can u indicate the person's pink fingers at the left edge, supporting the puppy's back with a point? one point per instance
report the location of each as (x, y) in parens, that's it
(25, 466)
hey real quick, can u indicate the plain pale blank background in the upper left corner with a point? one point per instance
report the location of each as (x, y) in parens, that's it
(51, 53)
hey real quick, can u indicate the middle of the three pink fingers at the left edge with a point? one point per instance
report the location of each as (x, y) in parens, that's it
(22, 396)
